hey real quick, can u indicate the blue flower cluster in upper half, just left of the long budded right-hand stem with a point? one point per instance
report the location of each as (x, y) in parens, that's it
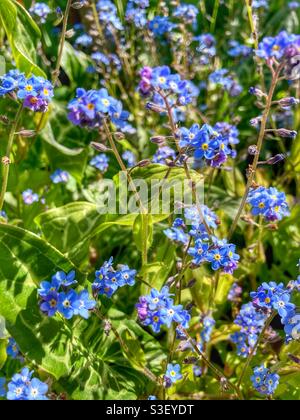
(212, 145)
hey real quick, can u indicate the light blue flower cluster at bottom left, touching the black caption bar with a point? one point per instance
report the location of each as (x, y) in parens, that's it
(23, 387)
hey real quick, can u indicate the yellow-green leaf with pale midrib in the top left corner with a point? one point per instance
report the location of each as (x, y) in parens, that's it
(23, 34)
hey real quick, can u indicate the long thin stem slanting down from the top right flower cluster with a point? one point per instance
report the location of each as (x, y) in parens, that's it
(253, 168)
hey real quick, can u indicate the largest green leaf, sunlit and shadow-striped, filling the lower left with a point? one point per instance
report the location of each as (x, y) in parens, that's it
(87, 364)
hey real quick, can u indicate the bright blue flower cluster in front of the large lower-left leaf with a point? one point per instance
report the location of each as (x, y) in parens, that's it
(57, 297)
